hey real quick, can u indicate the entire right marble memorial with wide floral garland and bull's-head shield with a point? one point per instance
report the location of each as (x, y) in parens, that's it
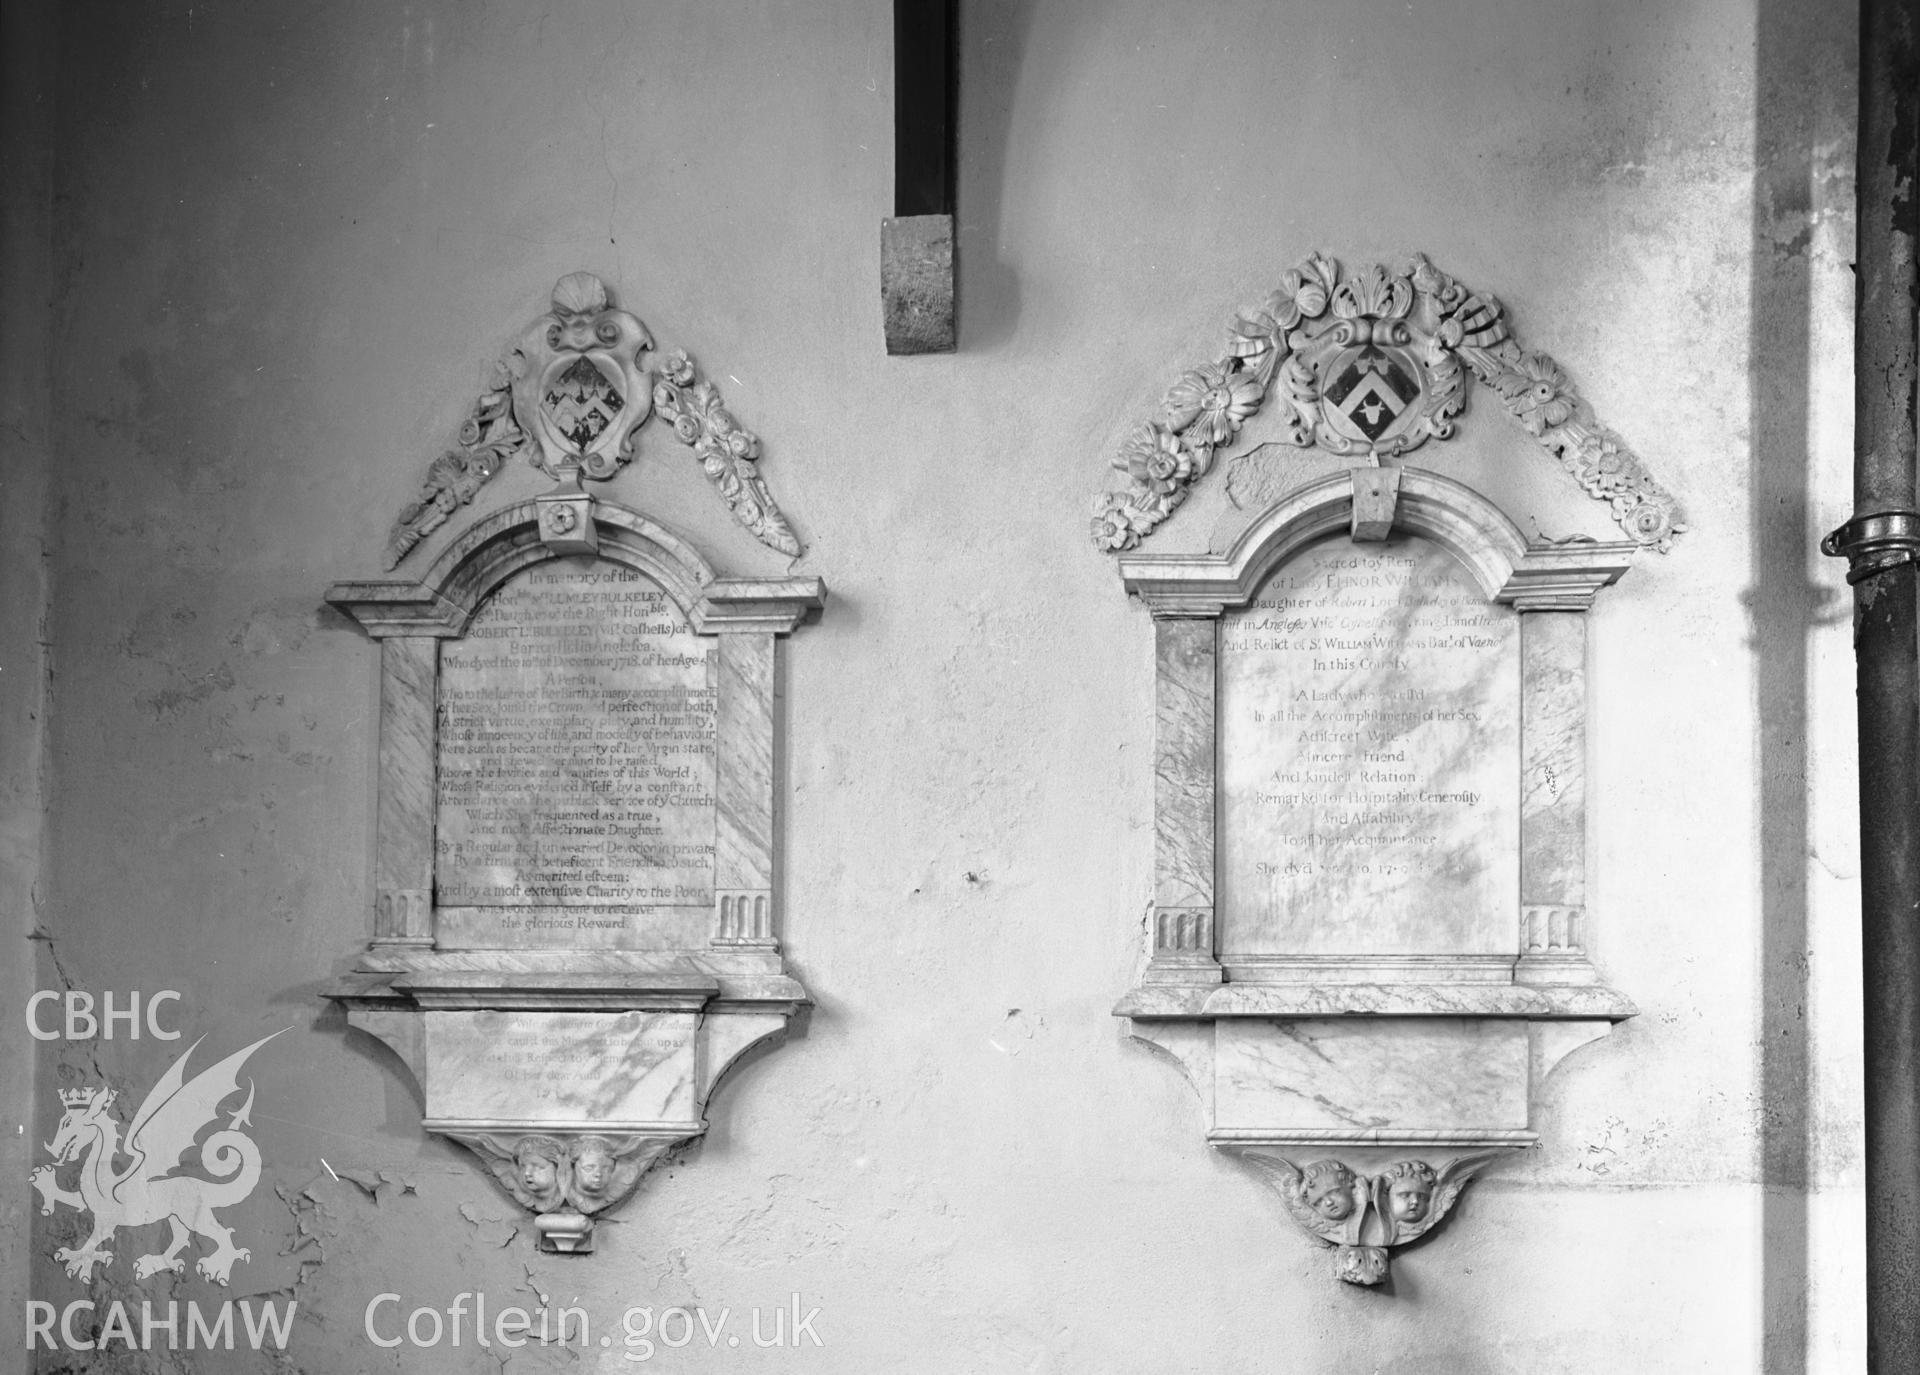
(1370, 930)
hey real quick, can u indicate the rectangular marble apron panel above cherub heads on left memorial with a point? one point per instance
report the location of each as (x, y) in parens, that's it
(562, 1067)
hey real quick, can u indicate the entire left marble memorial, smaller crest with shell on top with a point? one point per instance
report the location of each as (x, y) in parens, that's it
(575, 854)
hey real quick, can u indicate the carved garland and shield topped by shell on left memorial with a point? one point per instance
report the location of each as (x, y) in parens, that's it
(571, 397)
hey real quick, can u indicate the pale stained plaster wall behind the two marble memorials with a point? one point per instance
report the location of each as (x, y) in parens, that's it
(283, 243)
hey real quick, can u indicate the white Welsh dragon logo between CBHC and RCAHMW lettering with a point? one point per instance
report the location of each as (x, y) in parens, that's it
(147, 1190)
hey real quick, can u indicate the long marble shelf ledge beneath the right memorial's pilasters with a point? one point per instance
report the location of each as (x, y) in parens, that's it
(1207, 1001)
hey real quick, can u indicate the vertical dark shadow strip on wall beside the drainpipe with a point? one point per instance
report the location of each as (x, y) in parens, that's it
(1796, 60)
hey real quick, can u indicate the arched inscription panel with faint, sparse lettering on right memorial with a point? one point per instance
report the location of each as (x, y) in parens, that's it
(1370, 760)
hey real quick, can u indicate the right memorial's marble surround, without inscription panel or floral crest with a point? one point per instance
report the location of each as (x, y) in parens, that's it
(1374, 1086)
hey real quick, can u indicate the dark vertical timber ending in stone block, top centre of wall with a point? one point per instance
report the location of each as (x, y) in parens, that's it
(917, 247)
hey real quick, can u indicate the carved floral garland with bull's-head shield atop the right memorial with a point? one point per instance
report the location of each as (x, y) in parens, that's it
(1370, 366)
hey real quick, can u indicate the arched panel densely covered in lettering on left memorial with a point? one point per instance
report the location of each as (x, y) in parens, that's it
(575, 763)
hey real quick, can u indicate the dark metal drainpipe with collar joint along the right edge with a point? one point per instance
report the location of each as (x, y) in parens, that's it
(1883, 544)
